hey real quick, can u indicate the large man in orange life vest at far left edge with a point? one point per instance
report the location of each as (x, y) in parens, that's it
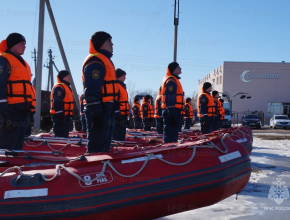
(15, 92)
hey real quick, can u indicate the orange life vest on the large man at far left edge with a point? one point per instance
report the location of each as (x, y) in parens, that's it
(19, 87)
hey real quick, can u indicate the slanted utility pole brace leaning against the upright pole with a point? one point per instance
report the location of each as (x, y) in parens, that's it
(62, 52)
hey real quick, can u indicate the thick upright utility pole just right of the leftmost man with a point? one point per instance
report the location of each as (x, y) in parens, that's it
(39, 65)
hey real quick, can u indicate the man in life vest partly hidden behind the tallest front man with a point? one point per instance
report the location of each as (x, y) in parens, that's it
(121, 115)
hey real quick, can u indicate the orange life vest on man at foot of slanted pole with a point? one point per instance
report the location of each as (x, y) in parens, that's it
(68, 100)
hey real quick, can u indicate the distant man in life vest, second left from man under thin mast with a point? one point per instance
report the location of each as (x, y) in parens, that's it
(147, 113)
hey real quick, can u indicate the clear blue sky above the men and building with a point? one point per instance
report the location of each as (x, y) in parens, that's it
(209, 33)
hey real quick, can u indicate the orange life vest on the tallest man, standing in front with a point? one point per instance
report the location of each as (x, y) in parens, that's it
(110, 91)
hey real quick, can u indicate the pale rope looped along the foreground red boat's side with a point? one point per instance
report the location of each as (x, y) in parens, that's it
(151, 155)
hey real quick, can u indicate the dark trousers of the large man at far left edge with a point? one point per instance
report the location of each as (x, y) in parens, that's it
(13, 139)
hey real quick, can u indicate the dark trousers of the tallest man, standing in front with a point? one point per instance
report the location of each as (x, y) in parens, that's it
(100, 140)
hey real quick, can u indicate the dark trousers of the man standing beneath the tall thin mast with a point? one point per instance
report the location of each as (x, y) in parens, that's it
(170, 131)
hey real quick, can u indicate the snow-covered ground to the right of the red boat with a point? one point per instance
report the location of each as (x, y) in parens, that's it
(270, 163)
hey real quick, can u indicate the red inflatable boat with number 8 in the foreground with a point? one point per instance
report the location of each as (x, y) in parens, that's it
(134, 183)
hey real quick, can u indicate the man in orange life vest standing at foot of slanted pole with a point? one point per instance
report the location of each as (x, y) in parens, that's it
(61, 104)
